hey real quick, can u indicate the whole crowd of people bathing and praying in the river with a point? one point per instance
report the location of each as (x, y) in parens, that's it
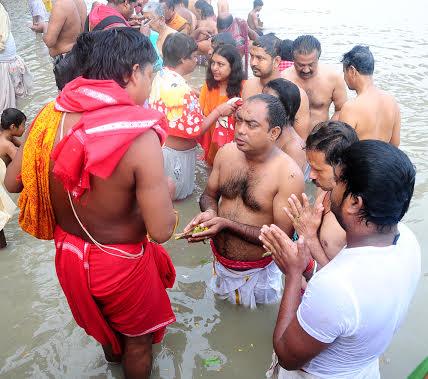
(101, 165)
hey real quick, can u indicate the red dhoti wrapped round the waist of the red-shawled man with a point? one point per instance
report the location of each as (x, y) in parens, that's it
(109, 294)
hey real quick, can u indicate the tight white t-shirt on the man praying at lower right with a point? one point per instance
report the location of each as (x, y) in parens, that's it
(356, 303)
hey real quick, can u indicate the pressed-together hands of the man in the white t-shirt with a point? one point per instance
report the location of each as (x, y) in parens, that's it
(291, 258)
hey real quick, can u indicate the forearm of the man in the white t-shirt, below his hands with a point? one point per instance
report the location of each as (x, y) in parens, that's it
(288, 308)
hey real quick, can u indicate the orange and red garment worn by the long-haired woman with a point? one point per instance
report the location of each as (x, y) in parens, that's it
(209, 100)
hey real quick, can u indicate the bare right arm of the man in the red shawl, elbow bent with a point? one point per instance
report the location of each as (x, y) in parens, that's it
(151, 187)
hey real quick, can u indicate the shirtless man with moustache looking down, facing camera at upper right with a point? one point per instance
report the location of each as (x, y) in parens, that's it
(321, 83)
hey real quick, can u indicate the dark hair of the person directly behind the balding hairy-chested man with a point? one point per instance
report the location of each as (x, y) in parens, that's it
(289, 95)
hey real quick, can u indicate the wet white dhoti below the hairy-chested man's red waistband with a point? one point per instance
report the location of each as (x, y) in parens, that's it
(249, 287)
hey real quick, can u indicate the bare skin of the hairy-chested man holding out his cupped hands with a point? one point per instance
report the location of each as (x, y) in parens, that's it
(234, 216)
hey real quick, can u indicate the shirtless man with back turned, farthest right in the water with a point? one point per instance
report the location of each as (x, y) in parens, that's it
(374, 114)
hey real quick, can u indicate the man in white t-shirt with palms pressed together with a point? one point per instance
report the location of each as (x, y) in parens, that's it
(352, 307)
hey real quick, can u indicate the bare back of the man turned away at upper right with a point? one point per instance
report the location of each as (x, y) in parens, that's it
(374, 115)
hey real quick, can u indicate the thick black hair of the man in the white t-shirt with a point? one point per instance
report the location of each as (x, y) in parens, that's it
(383, 176)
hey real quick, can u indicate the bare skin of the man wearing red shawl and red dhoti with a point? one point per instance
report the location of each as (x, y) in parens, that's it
(122, 209)
